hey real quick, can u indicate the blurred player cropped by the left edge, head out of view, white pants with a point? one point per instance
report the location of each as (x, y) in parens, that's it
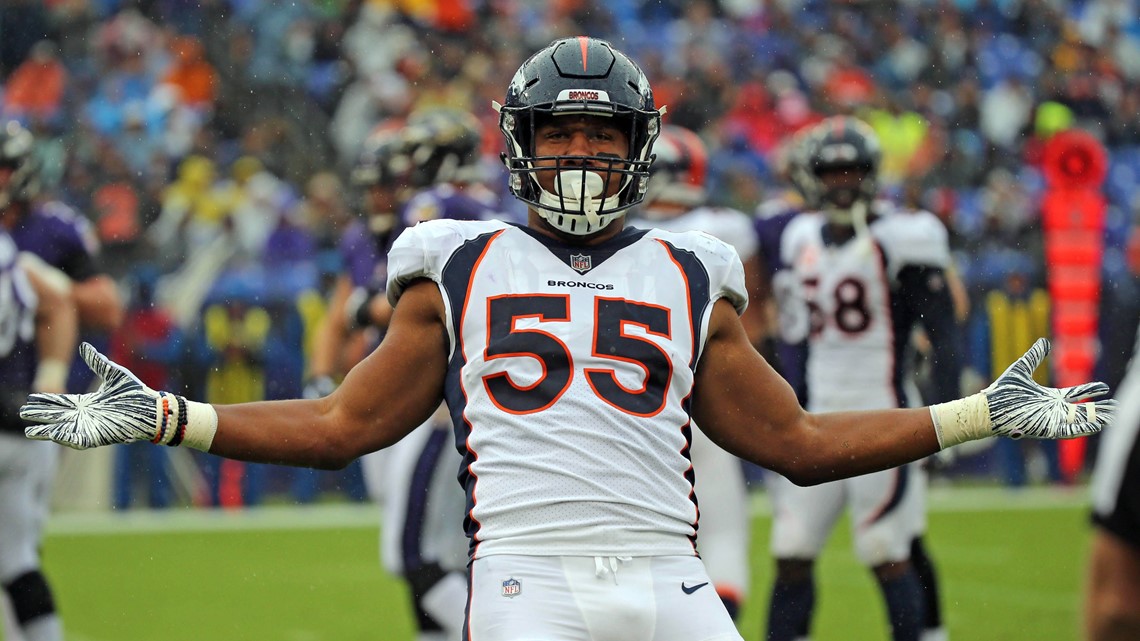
(38, 336)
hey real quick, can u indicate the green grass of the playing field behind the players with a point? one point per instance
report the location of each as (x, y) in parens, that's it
(1012, 566)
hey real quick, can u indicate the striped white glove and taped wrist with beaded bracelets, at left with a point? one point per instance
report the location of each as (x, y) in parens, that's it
(123, 410)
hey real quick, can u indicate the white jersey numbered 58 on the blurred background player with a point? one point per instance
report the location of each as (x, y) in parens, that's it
(838, 298)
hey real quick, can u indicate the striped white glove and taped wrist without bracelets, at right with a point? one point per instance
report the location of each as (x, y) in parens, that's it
(1016, 407)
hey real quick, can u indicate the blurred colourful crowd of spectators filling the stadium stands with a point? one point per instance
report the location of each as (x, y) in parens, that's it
(209, 141)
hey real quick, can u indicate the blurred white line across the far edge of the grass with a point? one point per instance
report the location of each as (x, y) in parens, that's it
(368, 516)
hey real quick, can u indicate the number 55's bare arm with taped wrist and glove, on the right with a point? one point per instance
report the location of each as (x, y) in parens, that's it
(745, 407)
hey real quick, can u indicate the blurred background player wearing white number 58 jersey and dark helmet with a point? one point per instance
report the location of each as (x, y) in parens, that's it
(858, 279)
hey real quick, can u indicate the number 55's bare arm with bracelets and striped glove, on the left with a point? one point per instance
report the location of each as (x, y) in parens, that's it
(382, 400)
